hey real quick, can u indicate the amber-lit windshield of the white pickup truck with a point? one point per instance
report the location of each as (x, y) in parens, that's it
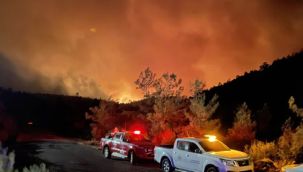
(214, 146)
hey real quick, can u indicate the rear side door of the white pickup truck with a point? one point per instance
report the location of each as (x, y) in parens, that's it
(179, 154)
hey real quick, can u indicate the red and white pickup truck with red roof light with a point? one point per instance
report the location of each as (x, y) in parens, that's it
(127, 145)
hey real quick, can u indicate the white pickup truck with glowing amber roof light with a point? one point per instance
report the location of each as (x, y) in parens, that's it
(203, 155)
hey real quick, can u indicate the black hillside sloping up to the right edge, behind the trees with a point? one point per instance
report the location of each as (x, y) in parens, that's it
(266, 92)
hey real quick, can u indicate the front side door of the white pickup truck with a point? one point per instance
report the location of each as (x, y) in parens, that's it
(194, 157)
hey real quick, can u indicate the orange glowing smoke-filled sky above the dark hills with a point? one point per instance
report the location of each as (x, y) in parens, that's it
(99, 47)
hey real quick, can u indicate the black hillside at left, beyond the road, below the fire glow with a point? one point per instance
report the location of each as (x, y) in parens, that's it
(57, 114)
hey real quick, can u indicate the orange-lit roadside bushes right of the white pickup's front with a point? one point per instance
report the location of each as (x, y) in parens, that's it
(286, 150)
